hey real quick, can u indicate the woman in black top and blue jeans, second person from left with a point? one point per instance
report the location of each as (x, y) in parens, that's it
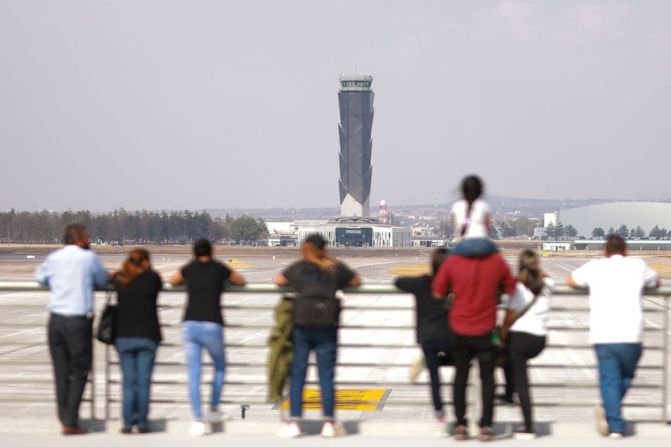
(138, 334)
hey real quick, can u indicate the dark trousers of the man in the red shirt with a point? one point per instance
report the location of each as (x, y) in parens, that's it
(465, 348)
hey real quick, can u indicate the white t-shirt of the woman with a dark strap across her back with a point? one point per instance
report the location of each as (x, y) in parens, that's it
(534, 321)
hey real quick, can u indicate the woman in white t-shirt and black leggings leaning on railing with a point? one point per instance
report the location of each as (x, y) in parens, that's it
(525, 329)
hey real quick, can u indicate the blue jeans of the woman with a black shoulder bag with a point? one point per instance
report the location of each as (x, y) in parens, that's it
(136, 356)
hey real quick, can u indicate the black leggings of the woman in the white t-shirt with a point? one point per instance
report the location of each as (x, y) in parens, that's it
(522, 346)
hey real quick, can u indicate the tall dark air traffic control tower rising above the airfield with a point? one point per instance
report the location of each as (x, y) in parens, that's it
(356, 122)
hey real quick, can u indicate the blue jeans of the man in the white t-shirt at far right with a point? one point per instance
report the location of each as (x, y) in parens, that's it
(617, 367)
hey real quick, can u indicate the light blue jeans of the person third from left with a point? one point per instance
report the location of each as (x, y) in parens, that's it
(208, 335)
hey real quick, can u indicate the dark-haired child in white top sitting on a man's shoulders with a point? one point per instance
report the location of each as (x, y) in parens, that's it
(471, 220)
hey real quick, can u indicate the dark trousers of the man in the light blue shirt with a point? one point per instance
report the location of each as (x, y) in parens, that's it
(71, 349)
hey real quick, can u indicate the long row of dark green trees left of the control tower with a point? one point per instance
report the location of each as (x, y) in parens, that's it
(130, 227)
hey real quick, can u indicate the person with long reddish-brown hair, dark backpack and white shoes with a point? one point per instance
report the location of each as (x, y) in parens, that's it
(316, 278)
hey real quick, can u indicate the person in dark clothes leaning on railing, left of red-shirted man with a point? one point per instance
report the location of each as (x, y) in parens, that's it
(432, 331)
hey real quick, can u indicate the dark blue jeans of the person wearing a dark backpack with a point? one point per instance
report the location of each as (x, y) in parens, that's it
(324, 342)
